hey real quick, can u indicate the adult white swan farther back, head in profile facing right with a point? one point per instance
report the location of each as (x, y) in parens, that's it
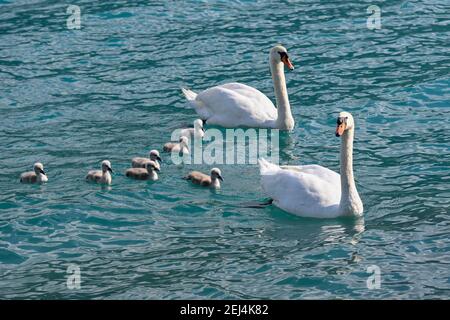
(234, 105)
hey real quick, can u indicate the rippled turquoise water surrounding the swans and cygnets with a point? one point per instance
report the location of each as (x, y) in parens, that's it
(71, 98)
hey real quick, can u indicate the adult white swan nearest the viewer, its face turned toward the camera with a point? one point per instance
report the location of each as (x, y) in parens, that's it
(315, 191)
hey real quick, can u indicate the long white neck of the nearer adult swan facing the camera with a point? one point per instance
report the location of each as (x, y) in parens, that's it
(350, 203)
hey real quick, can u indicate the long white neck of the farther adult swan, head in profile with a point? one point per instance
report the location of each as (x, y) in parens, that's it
(285, 121)
